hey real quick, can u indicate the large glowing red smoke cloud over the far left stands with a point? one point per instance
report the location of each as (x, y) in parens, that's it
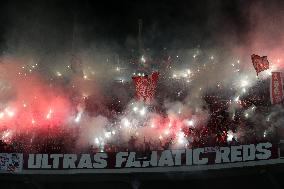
(28, 102)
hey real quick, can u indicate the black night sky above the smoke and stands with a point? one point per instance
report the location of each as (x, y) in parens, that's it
(179, 24)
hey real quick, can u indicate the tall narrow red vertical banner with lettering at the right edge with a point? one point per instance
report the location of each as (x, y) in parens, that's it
(276, 88)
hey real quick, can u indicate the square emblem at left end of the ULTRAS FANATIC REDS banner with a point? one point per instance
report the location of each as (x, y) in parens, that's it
(11, 162)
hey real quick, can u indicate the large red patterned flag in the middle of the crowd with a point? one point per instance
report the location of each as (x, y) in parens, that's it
(146, 87)
